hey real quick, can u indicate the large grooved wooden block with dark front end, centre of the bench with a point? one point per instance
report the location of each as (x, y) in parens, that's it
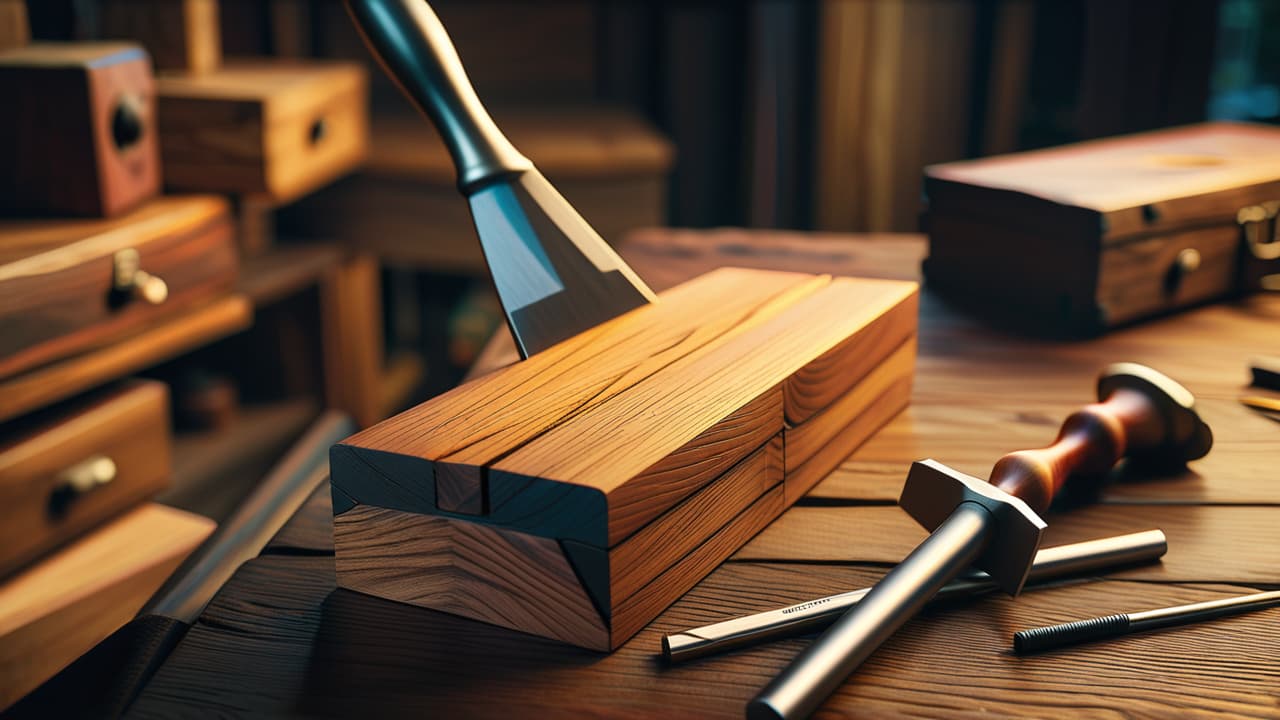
(579, 493)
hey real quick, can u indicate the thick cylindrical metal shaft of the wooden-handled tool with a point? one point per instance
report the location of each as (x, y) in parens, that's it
(804, 685)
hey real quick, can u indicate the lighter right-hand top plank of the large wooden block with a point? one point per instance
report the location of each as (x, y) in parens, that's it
(691, 395)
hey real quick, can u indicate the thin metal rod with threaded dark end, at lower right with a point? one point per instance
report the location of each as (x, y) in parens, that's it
(1113, 626)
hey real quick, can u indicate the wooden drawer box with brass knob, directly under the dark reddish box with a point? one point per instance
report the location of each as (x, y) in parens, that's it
(66, 285)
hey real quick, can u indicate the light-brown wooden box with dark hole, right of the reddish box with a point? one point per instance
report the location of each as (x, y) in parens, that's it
(276, 129)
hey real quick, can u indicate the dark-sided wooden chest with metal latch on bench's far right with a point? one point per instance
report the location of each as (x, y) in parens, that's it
(1090, 236)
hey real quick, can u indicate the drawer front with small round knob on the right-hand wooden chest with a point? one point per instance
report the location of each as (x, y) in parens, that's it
(1158, 275)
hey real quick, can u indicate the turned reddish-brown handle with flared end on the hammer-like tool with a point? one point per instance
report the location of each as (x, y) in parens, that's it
(1140, 413)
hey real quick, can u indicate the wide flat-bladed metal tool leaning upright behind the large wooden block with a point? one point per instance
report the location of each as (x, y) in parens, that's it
(555, 276)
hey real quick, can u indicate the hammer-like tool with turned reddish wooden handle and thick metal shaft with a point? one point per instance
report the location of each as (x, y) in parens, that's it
(994, 526)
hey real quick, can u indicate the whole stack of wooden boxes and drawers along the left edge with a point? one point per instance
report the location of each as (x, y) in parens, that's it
(99, 277)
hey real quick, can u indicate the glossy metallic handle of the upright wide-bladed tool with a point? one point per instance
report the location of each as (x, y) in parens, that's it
(412, 44)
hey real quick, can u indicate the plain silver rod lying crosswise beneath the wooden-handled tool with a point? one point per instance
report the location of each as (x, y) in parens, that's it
(821, 613)
